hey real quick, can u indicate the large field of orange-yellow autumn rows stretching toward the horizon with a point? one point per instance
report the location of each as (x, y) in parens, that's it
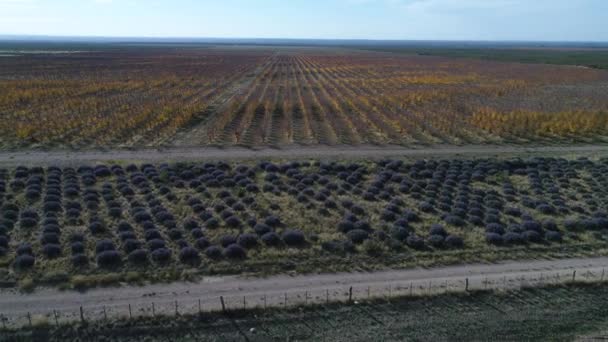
(280, 96)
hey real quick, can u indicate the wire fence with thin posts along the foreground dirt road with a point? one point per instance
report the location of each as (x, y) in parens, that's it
(152, 307)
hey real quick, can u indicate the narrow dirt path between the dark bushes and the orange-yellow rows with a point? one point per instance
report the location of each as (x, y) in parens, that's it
(8, 158)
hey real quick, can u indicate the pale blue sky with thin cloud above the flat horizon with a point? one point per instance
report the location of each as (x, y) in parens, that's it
(572, 20)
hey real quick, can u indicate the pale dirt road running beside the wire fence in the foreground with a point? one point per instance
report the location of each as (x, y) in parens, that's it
(274, 291)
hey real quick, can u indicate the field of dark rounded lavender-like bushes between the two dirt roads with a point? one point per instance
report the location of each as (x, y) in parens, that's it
(180, 220)
